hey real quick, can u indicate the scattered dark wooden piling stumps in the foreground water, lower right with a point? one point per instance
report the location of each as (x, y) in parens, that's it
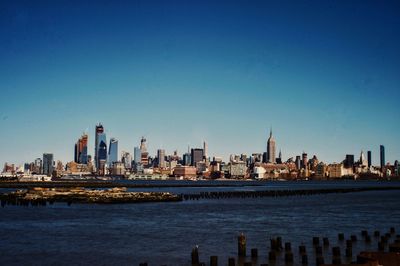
(277, 247)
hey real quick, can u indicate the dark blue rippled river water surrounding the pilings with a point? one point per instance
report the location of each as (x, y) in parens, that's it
(164, 233)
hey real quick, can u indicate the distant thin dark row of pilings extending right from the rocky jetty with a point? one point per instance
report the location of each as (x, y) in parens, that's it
(276, 193)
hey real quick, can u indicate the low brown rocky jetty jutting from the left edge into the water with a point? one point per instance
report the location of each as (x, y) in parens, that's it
(42, 196)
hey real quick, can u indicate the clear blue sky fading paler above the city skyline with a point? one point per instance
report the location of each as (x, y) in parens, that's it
(324, 74)
